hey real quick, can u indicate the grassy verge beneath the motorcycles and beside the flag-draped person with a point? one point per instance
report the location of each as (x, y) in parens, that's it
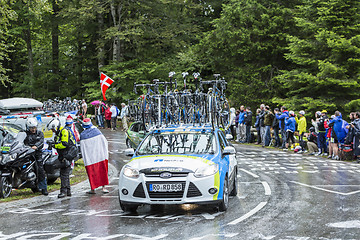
(78, 175)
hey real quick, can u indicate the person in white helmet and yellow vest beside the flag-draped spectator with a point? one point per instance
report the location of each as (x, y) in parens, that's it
(64, 143)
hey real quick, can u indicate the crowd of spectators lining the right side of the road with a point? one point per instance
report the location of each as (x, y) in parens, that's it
(329, 136)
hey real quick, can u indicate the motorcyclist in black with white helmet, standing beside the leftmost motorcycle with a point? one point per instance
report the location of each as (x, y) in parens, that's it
(35, 139)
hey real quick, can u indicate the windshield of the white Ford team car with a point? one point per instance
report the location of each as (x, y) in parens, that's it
(178, 143)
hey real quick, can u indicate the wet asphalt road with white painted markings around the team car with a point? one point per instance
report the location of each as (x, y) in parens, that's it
(281, 195)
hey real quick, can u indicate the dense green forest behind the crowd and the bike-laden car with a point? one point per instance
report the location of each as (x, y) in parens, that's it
(301, 53)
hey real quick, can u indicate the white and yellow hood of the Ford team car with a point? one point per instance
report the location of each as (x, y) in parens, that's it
(170, 163)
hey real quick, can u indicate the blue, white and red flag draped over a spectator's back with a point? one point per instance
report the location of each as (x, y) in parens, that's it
(94, 150)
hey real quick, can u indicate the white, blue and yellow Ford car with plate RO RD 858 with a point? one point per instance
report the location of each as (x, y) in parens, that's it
(180, 165)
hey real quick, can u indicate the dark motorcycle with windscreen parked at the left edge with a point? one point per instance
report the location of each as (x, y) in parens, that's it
(17, 162)
